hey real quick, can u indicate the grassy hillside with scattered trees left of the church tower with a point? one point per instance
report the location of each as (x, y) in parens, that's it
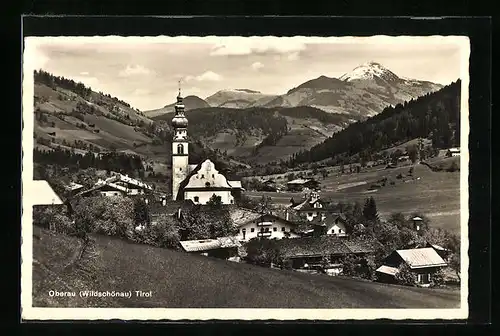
(70, 118)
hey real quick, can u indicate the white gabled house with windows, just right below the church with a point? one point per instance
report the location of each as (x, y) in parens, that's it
(252, 224)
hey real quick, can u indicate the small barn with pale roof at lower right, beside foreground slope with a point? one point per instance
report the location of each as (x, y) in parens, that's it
(423, 262)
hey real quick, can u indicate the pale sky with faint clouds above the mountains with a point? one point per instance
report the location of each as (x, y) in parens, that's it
(146, 71)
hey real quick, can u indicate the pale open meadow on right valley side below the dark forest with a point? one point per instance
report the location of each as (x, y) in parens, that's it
(434, 194)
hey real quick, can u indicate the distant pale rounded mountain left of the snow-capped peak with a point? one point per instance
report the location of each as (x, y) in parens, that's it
(238, 98)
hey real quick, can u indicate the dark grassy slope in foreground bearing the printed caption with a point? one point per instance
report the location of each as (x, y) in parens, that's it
(179, 280)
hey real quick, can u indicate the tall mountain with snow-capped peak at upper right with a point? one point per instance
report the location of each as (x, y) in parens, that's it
(363, 92)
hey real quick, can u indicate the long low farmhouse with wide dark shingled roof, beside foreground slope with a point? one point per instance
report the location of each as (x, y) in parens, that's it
(310, 253)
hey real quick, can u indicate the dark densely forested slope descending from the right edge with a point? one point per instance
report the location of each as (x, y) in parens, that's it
(435, 116)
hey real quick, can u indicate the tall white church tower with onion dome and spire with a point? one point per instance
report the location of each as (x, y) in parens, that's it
(180, 147)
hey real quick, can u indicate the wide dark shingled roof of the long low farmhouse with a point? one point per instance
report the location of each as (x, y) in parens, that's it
(324, 245)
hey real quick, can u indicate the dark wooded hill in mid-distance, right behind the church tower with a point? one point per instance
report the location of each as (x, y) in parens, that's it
(257, 134)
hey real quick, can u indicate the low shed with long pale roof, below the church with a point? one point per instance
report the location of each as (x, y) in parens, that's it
(223, 247)
